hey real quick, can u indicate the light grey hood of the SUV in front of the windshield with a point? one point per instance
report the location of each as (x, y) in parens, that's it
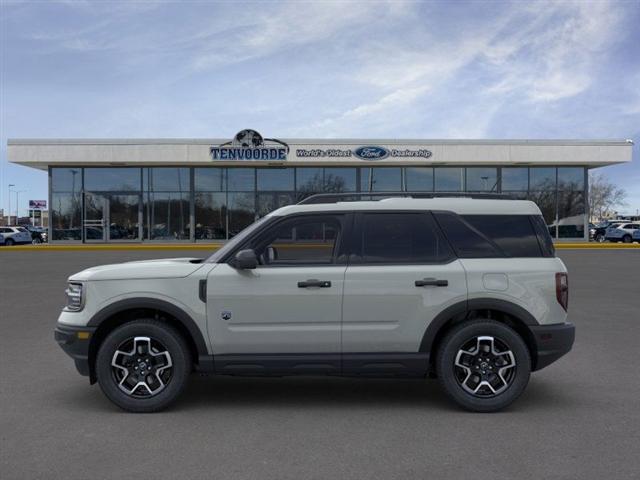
(163, 268)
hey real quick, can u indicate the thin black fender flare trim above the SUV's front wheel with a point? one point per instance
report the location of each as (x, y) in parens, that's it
(154, 304)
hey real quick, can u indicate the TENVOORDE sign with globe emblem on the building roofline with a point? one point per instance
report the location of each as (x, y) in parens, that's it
(250, 145)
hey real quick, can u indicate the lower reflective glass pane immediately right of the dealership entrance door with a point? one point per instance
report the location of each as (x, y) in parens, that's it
(167, 216)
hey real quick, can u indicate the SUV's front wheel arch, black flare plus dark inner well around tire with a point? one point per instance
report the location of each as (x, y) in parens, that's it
(123, 311)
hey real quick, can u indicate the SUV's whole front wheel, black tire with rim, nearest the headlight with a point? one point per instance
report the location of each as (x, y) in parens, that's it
(164, 377)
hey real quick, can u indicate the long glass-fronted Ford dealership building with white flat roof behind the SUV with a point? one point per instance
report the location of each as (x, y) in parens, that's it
(195, 190)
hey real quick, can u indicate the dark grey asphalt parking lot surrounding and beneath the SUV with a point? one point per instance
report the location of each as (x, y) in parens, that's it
(579, 418)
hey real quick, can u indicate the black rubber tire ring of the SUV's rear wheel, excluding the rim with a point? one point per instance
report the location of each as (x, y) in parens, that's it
(461, 335)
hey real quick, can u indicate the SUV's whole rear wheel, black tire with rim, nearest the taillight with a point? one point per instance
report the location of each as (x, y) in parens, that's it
(493, 392)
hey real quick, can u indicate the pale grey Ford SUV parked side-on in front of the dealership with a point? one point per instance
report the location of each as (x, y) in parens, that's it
(464, 289)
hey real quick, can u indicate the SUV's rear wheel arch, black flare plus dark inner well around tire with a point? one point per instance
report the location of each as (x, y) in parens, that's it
(502, 311)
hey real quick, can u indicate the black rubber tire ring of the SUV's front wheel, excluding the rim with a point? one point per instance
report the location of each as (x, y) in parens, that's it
(174, 344)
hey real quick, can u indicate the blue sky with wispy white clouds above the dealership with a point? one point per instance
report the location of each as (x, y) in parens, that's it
(373, 69)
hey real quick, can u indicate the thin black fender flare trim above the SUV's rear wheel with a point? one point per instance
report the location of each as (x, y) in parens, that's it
(458, 311)
